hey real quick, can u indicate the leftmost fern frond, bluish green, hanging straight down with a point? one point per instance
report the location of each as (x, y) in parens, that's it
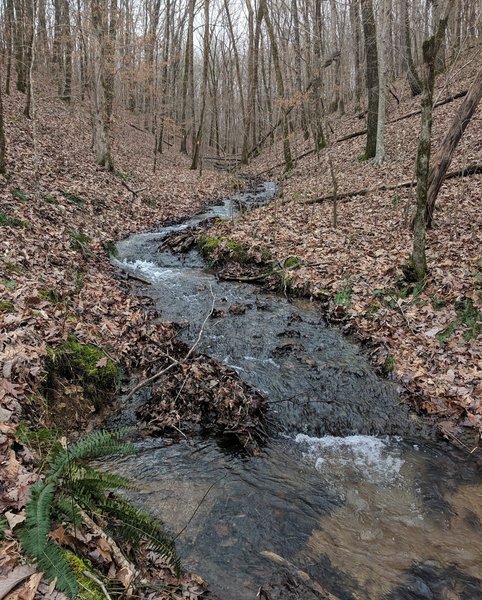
(34, 531)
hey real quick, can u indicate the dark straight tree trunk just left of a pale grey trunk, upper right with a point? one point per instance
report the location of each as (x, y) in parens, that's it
(370, 34)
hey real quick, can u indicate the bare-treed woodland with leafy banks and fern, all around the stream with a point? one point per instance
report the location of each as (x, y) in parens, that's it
(117, 117)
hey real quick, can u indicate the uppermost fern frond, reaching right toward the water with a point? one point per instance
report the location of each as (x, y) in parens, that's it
(94, 445)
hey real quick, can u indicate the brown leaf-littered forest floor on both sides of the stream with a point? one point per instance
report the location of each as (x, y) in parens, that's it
(57, 280)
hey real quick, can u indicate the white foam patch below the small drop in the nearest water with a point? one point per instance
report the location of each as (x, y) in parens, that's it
(374, 459)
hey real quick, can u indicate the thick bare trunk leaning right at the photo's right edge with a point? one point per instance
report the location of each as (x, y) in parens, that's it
(444, 156)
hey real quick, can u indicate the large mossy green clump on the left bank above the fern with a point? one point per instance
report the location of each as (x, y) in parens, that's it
(87, 365)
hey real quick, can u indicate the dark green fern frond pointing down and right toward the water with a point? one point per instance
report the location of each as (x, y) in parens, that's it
(134, 525)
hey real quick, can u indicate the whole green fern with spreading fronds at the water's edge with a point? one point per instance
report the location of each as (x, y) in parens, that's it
(72, 486)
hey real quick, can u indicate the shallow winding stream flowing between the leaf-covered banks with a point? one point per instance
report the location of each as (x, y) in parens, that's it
(350, 490)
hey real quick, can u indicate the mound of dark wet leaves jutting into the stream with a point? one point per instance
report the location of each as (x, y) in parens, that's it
(202, 396)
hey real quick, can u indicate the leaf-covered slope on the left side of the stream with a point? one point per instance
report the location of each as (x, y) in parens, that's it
(57, 284)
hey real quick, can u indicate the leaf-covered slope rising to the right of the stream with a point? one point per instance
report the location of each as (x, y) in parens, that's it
(426, 336)
